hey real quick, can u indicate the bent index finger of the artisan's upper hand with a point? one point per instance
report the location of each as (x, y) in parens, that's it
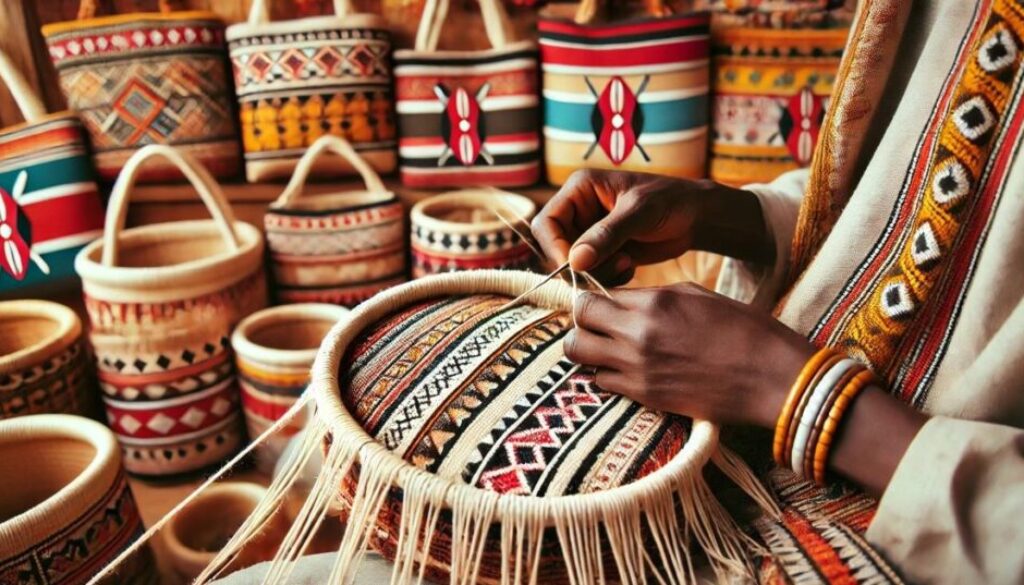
(559, 224)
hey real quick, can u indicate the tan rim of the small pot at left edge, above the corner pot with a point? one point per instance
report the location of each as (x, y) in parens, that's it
(69, 329)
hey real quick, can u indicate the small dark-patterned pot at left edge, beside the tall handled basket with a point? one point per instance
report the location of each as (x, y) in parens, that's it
(44, 363)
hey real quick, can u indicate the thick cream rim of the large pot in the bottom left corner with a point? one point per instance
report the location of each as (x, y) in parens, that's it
(23, 532)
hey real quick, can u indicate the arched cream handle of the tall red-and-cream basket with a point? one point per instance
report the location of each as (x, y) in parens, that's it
(201, 180)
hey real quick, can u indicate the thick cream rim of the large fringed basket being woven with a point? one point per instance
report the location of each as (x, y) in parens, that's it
(691, 459)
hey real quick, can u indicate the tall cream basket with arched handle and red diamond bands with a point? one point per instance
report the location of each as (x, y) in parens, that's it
(163, 301)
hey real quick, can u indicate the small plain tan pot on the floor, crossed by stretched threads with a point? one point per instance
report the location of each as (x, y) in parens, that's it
(195, 536)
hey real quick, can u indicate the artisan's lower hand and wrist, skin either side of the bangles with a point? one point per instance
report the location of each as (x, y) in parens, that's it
(688, 351)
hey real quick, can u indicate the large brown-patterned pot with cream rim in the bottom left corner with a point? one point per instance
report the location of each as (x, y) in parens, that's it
(67, 510)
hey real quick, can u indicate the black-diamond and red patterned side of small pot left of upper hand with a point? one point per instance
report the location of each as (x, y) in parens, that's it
(436, 252)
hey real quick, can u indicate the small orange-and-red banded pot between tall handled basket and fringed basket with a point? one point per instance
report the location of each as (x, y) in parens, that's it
(274, 351)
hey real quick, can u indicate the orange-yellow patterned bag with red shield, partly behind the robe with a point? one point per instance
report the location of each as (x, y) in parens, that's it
(772, 93)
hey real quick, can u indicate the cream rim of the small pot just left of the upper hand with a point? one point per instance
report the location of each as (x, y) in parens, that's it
(483, 198)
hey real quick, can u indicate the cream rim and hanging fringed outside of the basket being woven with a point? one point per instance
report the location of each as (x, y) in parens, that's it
(446, 529)
